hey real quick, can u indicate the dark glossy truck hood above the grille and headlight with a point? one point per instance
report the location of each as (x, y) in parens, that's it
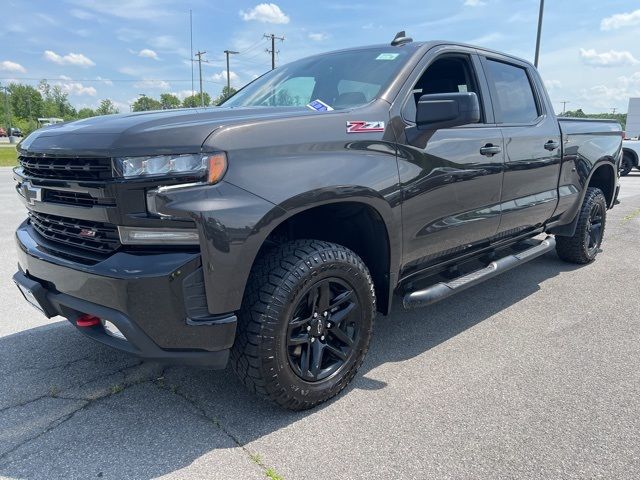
(144, 133)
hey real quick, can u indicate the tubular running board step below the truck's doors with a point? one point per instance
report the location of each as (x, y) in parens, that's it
(440, 291)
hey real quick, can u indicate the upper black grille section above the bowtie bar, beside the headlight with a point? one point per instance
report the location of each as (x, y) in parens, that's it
(67, 168)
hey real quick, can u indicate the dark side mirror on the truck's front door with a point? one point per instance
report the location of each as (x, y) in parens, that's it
(444, 110)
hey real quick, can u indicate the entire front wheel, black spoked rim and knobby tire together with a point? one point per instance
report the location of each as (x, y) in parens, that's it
(305, 324)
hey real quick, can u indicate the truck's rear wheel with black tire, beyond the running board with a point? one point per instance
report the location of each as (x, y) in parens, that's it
(583, 246)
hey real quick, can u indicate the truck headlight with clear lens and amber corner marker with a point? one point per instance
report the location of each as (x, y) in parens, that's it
(214, 165)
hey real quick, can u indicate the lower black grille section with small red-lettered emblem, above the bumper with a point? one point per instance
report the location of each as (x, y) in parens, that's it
(98, 238)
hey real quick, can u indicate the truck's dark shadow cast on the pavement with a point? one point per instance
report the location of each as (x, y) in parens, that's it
(72, 408)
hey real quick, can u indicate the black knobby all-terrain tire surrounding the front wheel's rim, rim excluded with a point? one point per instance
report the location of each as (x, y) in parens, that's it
(280, 279)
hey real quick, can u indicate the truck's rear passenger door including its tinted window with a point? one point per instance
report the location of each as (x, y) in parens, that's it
(532, 143)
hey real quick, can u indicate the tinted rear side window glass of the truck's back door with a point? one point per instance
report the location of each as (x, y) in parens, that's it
(515, 102)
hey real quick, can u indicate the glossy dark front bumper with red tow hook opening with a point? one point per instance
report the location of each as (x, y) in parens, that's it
(156, 300)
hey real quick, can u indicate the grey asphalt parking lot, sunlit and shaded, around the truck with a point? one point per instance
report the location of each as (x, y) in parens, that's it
(535, 374)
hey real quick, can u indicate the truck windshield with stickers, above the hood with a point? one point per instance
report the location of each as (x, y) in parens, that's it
(340, 80)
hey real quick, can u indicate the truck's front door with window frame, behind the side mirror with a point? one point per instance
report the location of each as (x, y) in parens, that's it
(451, 178)
